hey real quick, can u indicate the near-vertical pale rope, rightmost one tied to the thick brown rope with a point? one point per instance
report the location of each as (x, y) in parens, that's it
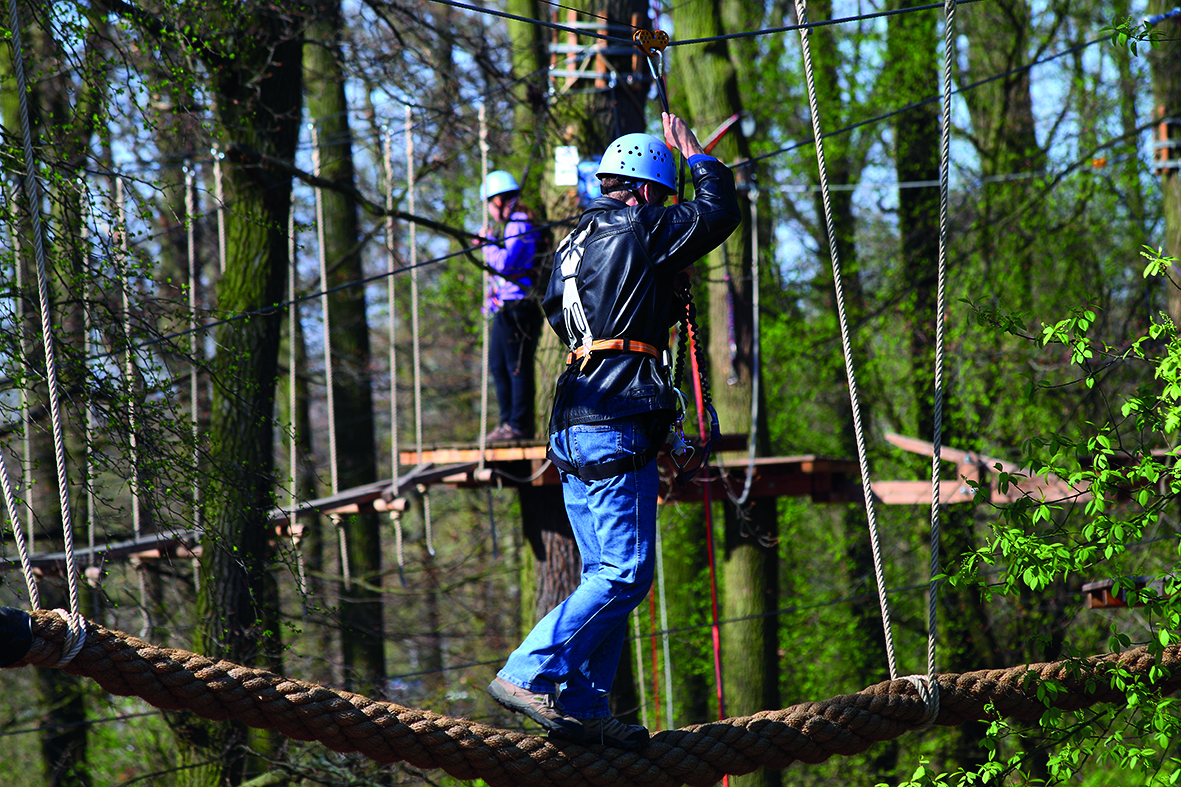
(941, 308)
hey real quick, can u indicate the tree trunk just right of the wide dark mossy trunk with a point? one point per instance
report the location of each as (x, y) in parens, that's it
(362, 638)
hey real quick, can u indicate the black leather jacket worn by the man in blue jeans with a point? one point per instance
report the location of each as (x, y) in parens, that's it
(627, 287)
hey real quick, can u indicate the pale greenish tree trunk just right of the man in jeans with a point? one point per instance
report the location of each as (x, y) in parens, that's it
(749, 576)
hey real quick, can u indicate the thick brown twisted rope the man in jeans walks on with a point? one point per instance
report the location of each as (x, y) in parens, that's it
(812, 732)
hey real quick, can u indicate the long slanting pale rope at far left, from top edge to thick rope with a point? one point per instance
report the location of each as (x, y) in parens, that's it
(34, 197)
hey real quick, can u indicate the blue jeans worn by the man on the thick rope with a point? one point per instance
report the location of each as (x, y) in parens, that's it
(575, 651)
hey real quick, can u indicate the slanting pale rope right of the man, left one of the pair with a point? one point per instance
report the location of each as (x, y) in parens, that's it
(846, 343)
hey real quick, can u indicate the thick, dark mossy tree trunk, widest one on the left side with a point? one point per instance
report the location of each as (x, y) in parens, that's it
(258, 95)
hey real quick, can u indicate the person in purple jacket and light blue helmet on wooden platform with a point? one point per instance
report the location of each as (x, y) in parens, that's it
(512, 251)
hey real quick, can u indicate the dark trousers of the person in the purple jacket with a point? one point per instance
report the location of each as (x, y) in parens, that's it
(512, 344)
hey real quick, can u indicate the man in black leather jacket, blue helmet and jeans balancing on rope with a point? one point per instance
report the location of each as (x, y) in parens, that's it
(612, 300)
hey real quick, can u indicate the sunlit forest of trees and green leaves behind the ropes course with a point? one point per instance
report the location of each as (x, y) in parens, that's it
(193, 155)
